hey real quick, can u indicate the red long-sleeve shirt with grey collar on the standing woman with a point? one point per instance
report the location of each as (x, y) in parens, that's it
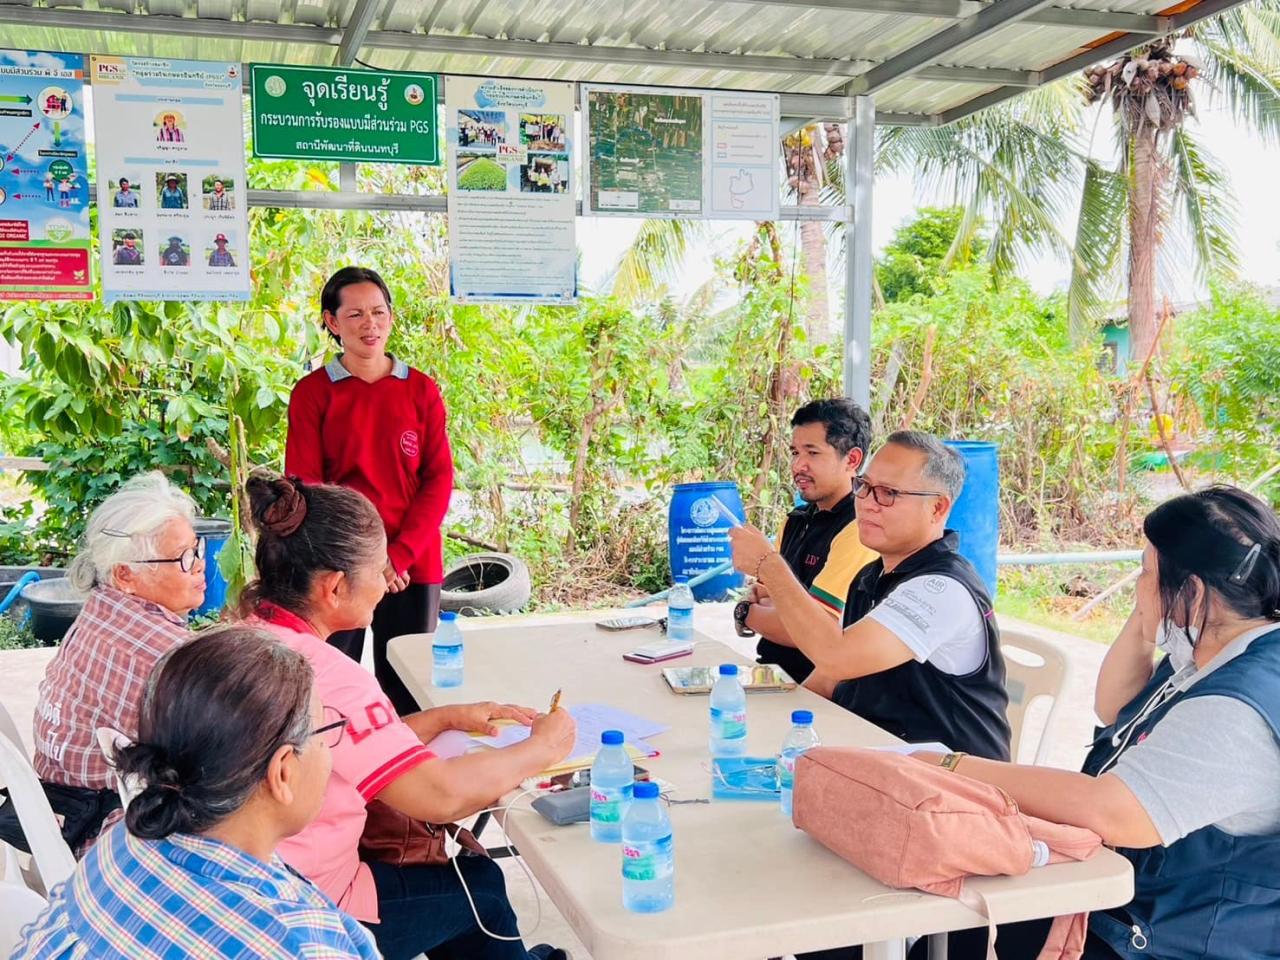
(386, 440)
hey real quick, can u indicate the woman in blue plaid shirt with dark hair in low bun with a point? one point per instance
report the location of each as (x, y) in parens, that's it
(234, 756)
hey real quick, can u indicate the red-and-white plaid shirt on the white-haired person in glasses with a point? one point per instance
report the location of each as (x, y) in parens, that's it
(97, 680)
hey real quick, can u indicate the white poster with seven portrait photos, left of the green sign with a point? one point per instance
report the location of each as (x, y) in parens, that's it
(171, 179)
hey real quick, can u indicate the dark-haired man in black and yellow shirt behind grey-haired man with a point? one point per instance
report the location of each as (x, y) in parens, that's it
(820, 541)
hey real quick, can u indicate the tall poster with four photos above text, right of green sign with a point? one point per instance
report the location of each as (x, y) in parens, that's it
(511, 191)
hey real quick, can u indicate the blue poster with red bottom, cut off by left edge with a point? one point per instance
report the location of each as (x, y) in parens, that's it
(44, 179)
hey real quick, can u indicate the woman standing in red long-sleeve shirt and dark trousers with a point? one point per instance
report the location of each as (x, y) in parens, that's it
(369, 422)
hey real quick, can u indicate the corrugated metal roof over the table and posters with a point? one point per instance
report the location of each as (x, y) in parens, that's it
(793, 47)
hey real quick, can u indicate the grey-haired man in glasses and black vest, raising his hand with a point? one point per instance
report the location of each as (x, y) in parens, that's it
(920, 651)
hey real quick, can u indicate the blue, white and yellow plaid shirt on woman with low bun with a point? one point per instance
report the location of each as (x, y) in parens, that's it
(189, 897)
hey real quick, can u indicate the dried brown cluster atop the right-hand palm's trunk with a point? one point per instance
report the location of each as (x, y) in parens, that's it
(1151, 88)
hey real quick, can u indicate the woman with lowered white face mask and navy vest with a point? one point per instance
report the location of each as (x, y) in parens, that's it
(1185, 780)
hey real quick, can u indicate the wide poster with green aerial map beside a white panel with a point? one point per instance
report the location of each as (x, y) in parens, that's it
(680, 154)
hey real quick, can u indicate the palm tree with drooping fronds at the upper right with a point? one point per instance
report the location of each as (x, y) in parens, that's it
(1023, 166)
